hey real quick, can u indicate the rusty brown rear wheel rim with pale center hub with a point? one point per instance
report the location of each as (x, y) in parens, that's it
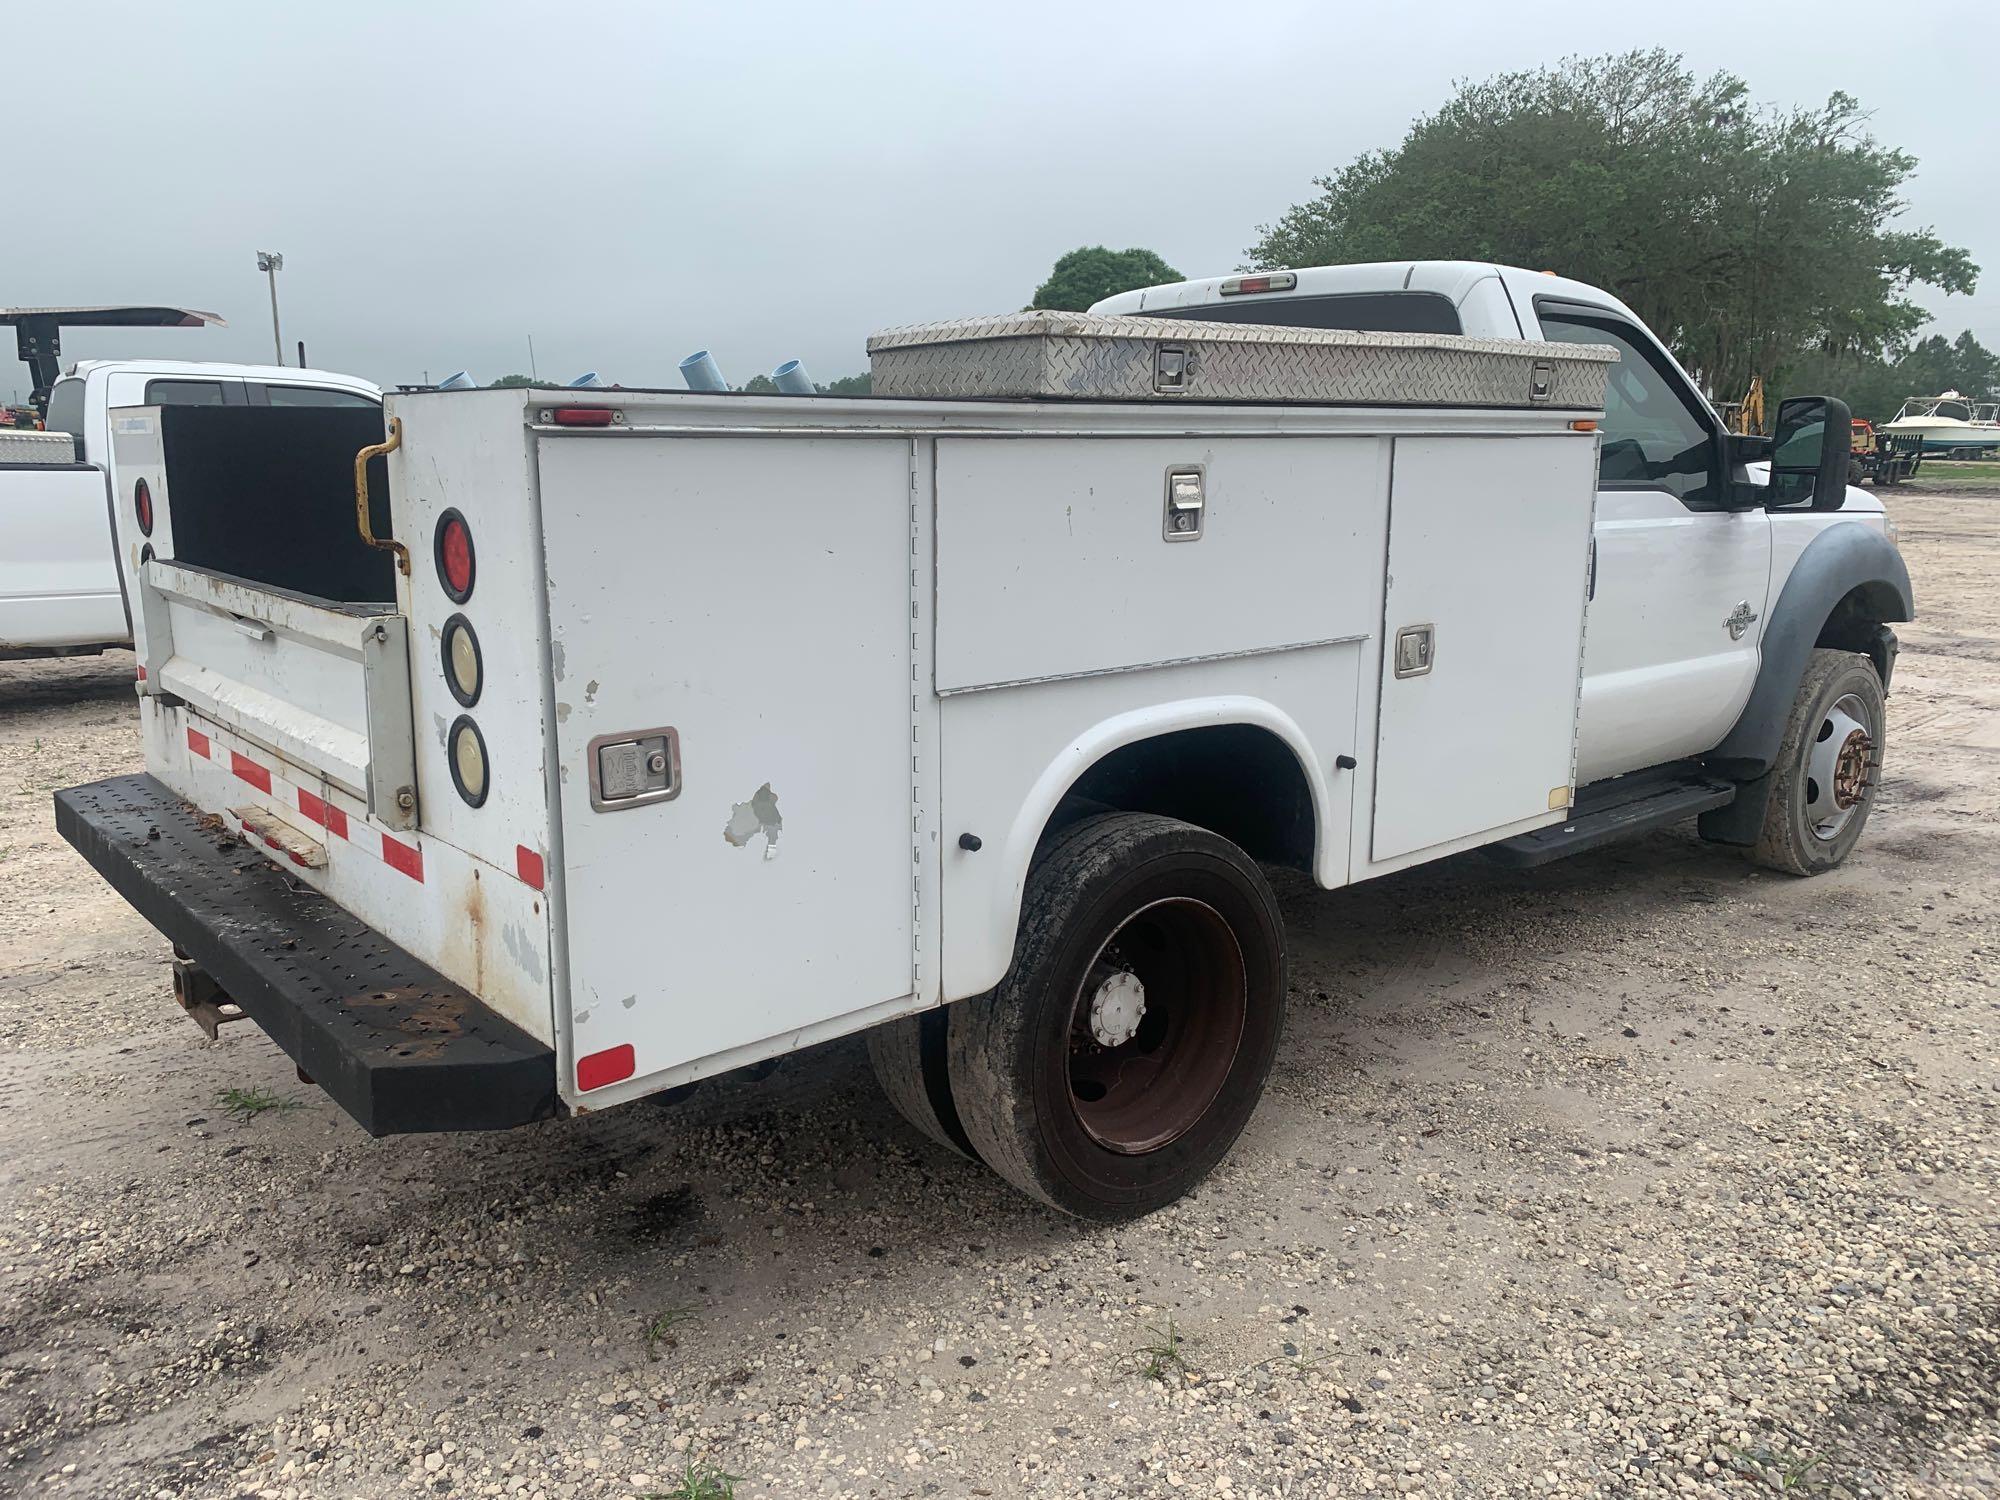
(1155, 1025)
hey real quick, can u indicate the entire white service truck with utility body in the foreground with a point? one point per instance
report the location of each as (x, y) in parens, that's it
(601, 743)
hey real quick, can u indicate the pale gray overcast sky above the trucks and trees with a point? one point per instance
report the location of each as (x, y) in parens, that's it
(629, 183)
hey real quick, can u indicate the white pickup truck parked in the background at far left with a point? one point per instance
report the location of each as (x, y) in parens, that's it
(61, 587)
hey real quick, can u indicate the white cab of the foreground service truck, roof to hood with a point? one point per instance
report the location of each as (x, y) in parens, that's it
(1691, 555)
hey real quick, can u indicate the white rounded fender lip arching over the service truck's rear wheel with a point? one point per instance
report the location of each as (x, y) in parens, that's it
(985, 963)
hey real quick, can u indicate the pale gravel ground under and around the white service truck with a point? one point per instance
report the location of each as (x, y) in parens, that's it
(1639, 1175)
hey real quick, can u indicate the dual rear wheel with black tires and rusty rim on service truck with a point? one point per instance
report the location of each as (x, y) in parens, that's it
(1131, 1039)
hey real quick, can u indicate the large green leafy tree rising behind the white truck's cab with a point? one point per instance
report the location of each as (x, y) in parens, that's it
(1747, 237)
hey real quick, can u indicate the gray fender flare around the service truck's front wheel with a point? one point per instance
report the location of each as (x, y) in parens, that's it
(1843, 559)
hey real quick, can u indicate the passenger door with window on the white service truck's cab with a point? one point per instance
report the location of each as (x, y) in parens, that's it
(1679, 583)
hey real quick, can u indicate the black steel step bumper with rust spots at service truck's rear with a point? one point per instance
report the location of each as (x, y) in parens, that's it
(393, 1041)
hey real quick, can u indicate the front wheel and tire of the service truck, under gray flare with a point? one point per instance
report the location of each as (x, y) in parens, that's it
(1829, 767)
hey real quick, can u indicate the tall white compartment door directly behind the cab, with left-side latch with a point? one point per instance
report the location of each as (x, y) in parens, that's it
(1489, 557)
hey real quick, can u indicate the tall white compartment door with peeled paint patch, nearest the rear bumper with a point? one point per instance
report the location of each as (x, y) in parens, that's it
(749, 601)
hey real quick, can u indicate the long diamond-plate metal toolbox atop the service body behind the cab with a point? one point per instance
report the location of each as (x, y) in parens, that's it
(1079, 355)
